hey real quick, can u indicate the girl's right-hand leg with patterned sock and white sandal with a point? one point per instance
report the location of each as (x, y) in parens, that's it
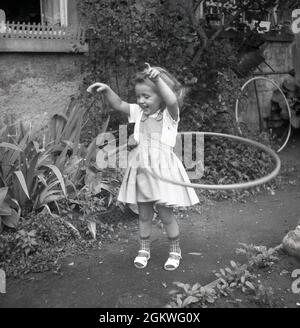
(167, 216)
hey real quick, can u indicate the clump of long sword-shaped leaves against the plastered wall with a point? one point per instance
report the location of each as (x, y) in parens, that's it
(39, 173)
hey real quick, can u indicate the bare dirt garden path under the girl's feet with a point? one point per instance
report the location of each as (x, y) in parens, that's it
(106, 278)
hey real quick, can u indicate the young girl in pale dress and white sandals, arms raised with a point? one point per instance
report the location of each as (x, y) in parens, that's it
(156, 117)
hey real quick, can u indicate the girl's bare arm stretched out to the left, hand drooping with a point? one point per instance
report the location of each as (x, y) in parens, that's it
(113, 99)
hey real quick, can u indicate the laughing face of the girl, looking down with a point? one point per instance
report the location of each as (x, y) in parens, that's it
(147, 98)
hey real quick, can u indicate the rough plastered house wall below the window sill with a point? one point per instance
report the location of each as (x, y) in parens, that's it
(33, 86)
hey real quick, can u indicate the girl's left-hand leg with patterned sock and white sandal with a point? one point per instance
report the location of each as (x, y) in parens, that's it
(146, 213)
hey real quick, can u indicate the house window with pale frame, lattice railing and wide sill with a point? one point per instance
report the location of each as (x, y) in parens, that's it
(41, 26)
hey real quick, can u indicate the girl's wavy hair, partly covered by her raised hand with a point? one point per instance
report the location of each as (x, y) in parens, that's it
(168, 78)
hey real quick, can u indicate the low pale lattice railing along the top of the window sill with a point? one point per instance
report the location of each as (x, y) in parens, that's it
(12, 30)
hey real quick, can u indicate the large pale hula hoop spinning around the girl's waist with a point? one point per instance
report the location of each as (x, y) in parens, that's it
(241, 185)
